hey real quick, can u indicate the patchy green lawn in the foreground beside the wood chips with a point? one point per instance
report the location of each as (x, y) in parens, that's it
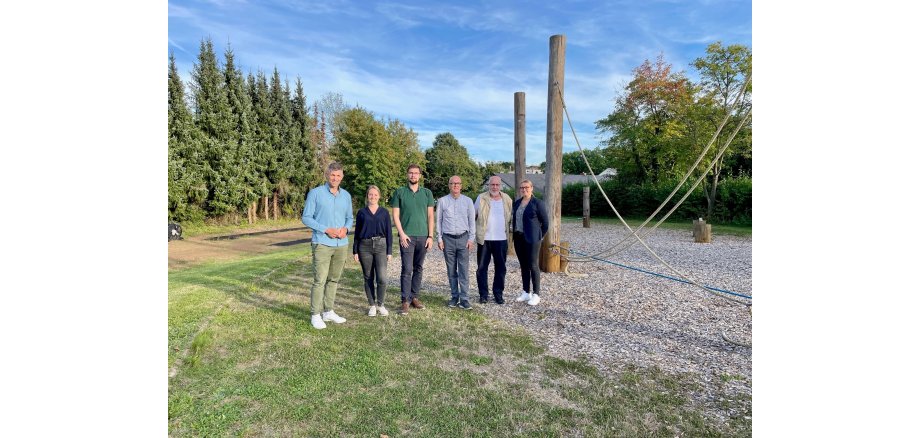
(248, 363)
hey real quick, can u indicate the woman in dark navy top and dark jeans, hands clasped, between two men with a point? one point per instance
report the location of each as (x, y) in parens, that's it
(373, 248)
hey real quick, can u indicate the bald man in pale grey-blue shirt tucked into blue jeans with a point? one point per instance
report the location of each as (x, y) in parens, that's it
(456, 234)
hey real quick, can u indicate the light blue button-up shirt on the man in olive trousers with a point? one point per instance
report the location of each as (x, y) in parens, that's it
(324, 210)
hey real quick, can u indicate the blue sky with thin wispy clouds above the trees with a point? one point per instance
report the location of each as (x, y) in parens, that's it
(455, 66)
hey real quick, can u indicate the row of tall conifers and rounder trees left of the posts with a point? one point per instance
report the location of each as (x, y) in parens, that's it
(244, 147)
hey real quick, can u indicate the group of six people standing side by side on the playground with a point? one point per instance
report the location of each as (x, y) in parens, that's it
(489, 223)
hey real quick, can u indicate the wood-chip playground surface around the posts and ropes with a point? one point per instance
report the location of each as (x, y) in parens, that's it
(615, 317)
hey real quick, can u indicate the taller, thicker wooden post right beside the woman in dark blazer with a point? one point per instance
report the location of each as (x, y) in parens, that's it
(552, 193)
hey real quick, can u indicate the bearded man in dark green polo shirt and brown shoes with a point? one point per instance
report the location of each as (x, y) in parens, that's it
(413, 214)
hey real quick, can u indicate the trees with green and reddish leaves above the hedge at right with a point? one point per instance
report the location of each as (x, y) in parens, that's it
(662, 122)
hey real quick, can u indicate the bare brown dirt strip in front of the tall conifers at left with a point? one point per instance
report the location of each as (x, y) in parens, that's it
(194, 250)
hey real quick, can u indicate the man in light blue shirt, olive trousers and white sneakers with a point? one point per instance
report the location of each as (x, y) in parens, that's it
(327, 212)
